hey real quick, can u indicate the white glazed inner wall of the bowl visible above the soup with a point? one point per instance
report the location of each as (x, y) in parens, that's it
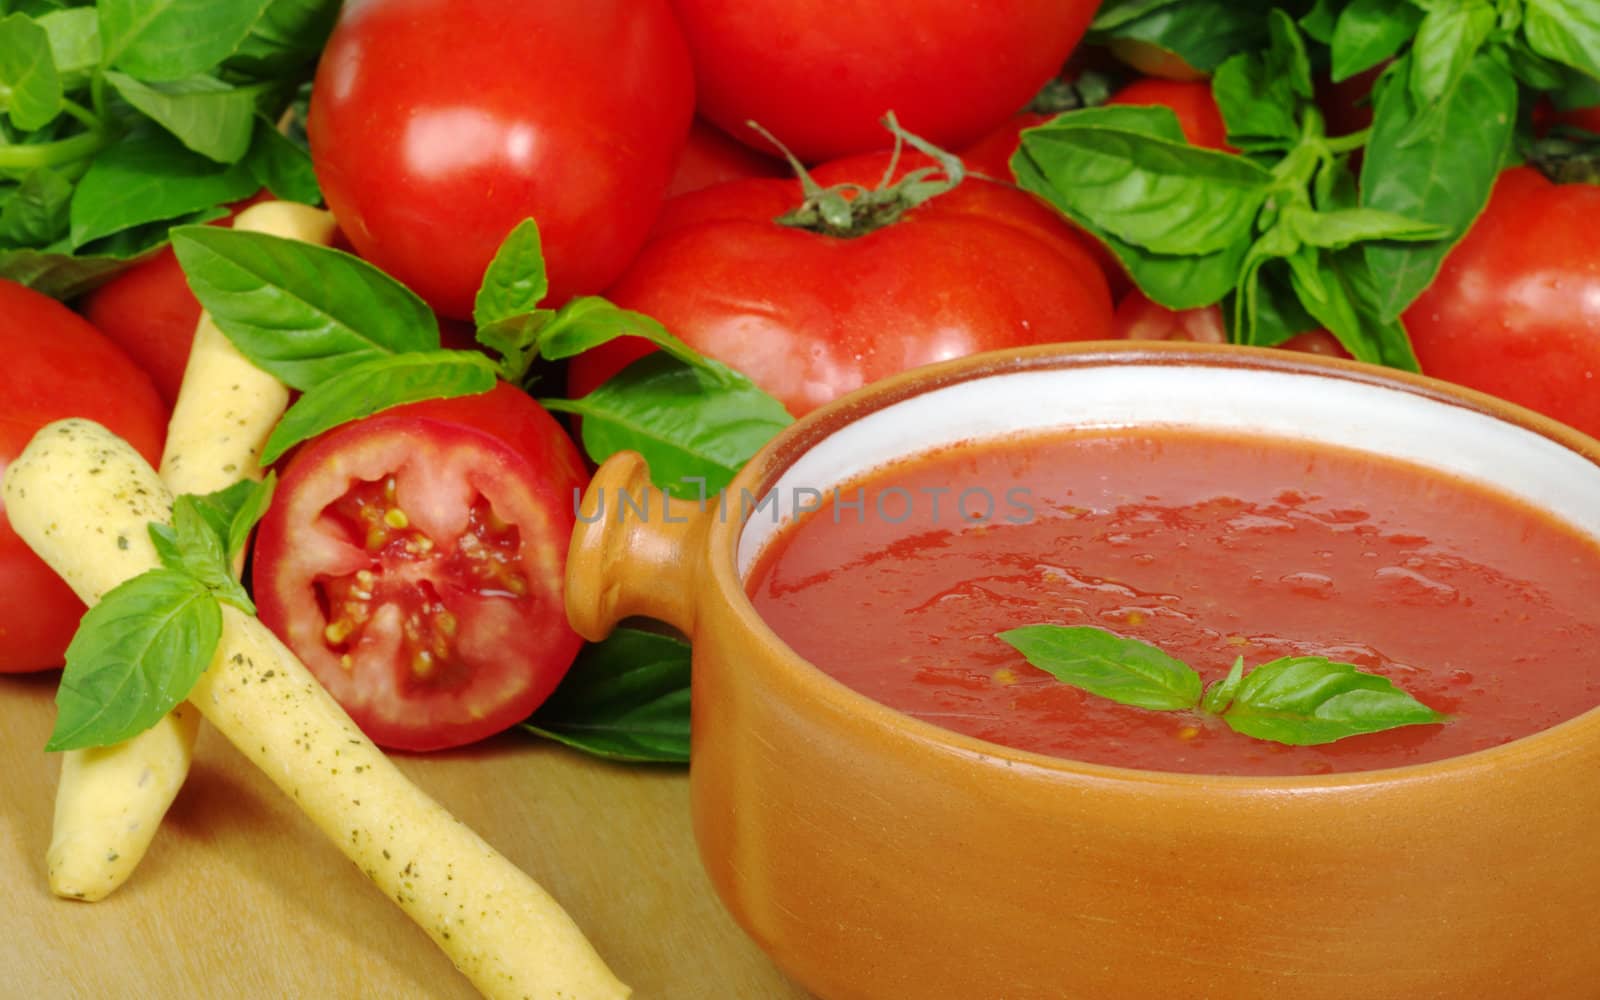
(1313, 409)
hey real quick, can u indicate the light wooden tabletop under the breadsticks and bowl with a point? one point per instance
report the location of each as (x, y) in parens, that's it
(241, 897)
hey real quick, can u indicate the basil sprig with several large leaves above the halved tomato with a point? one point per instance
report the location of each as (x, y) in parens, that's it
(356, 342)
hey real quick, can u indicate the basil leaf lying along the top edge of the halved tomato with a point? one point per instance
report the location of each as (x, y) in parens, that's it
(378, 385)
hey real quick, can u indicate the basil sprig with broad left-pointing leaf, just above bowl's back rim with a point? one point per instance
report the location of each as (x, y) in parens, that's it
(1273, 230)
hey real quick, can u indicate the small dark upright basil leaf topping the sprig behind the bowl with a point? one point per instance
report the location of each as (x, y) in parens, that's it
(1262, 95)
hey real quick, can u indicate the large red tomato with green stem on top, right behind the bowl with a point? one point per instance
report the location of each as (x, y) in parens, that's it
(810, 318)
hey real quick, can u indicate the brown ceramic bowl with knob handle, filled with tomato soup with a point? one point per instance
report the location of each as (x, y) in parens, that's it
(897, 802)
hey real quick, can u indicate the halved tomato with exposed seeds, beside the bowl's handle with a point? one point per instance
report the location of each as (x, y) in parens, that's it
(415, 562)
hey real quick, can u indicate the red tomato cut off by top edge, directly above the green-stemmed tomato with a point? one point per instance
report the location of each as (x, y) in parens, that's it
(822, 76)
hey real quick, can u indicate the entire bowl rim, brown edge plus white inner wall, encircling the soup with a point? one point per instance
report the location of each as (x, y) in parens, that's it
(1118, 386)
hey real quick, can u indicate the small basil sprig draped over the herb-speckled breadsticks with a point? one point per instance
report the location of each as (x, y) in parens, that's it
(142, 649)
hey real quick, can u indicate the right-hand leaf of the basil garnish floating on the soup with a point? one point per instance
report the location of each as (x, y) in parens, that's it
(1311, 700)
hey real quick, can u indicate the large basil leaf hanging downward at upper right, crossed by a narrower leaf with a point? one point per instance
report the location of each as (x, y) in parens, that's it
(1436, 167)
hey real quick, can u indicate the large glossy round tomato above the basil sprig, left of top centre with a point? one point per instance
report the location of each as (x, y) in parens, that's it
(438, 126)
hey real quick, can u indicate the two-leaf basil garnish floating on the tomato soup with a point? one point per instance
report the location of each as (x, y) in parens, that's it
(1295, 700)
